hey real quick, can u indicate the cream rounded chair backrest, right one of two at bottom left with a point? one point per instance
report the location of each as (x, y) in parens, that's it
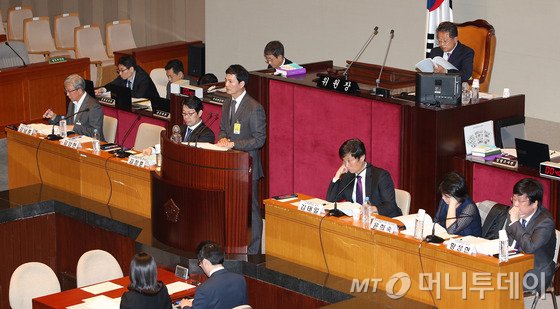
(97, 266)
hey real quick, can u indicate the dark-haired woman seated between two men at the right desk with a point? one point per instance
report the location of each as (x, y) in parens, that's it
(457, 212)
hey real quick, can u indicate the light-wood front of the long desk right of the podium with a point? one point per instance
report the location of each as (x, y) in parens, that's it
(353, 252)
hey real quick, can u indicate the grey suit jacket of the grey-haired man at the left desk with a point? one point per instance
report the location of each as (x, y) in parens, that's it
(86, 122)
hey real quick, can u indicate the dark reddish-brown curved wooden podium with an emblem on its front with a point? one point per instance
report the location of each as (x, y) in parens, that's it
(201, 195)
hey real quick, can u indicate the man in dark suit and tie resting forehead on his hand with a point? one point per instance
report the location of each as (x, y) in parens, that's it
(372, 182)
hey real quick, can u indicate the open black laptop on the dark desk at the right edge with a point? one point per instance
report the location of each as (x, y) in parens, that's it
(531, 154)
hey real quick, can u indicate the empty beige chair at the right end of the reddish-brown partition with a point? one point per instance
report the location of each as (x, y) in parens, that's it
(88, 42)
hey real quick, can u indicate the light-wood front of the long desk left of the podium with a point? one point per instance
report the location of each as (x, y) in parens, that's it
(100, 177)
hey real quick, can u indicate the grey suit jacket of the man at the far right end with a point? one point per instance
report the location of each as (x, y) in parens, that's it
(538, 238)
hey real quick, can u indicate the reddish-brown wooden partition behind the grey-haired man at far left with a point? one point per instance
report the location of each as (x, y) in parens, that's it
(26, 93)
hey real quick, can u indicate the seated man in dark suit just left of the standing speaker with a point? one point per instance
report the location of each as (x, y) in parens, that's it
(193, 129)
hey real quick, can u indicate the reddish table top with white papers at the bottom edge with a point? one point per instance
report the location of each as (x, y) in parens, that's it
(75, 296)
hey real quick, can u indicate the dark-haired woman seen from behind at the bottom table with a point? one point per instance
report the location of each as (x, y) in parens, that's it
(144, 290)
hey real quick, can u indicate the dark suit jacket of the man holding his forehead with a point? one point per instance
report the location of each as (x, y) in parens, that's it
(379, 188)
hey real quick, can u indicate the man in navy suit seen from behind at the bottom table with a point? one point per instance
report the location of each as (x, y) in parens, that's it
(223, 289)
